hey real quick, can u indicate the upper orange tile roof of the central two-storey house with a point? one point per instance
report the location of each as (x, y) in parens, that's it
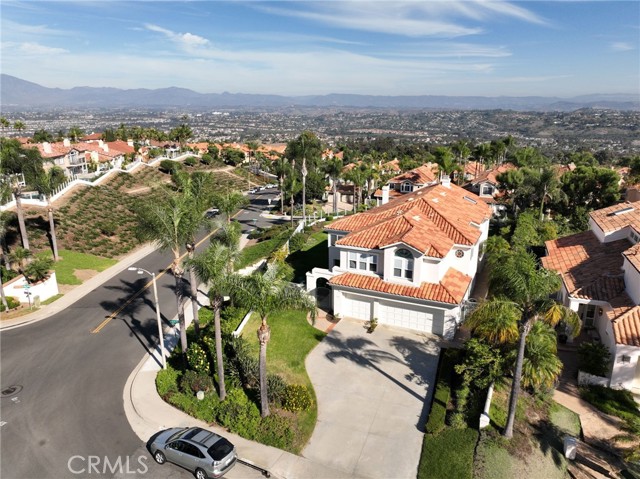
(430, 220)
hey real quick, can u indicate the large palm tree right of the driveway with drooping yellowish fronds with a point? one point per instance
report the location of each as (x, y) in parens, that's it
(522, 298)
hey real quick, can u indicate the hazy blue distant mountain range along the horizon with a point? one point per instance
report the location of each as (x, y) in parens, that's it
(17, 94)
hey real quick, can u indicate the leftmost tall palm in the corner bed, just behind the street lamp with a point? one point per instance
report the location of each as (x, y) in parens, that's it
(169, 220)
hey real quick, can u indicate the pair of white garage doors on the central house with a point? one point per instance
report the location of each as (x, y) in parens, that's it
(389, 313)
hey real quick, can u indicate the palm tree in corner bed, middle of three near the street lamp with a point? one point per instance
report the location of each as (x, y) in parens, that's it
(213, 268)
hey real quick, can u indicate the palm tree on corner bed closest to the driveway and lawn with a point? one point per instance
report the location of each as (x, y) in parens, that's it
(265, 294)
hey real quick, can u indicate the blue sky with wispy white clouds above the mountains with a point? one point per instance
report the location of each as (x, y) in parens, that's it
(432, 47)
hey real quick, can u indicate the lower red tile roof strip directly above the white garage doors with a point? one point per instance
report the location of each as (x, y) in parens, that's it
(450, 290)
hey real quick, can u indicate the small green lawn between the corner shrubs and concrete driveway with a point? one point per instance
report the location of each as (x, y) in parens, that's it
(292, 338)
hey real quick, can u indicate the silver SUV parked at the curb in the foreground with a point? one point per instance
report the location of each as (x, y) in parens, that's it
(202, 452)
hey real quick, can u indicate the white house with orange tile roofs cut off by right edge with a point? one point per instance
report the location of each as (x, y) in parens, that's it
(600, 272)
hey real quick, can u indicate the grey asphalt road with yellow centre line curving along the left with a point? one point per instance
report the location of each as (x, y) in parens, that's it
(63, 382)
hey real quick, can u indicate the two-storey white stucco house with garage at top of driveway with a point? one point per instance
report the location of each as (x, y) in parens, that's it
(410, 262)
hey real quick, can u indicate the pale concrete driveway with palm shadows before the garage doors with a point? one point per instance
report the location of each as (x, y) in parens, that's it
(373, 391)
